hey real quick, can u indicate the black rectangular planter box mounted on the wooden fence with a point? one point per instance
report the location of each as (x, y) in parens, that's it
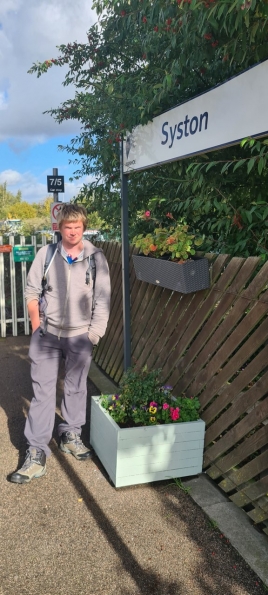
(187, 277)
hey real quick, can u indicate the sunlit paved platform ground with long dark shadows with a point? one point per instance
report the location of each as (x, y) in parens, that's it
(72, 532)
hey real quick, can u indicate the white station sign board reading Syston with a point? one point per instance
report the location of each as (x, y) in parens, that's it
(225, 115)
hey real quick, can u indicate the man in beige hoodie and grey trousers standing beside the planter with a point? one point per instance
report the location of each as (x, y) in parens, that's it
(65, 323)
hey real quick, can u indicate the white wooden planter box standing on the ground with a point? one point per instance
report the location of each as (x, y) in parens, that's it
(144, 454)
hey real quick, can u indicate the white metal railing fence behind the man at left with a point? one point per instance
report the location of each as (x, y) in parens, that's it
(7, 262)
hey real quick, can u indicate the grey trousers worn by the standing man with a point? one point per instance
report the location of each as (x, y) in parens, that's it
(45, 354)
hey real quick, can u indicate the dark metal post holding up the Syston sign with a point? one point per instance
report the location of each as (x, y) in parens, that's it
(125, 265)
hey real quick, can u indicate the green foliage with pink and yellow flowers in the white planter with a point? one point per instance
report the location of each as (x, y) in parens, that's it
(143, 401)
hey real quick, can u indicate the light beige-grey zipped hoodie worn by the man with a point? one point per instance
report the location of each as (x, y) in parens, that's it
(68, 300)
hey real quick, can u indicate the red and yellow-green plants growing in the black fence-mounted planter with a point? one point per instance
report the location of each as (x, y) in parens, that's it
(173, 241)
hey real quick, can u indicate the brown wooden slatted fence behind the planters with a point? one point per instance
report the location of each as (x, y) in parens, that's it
(212, 344)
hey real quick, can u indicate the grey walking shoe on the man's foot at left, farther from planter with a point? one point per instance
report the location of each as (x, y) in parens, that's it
(33, 467)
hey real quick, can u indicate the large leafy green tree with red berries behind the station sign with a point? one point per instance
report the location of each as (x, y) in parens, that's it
(142, 58)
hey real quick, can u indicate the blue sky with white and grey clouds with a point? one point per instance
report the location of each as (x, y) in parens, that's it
(30, 30)
